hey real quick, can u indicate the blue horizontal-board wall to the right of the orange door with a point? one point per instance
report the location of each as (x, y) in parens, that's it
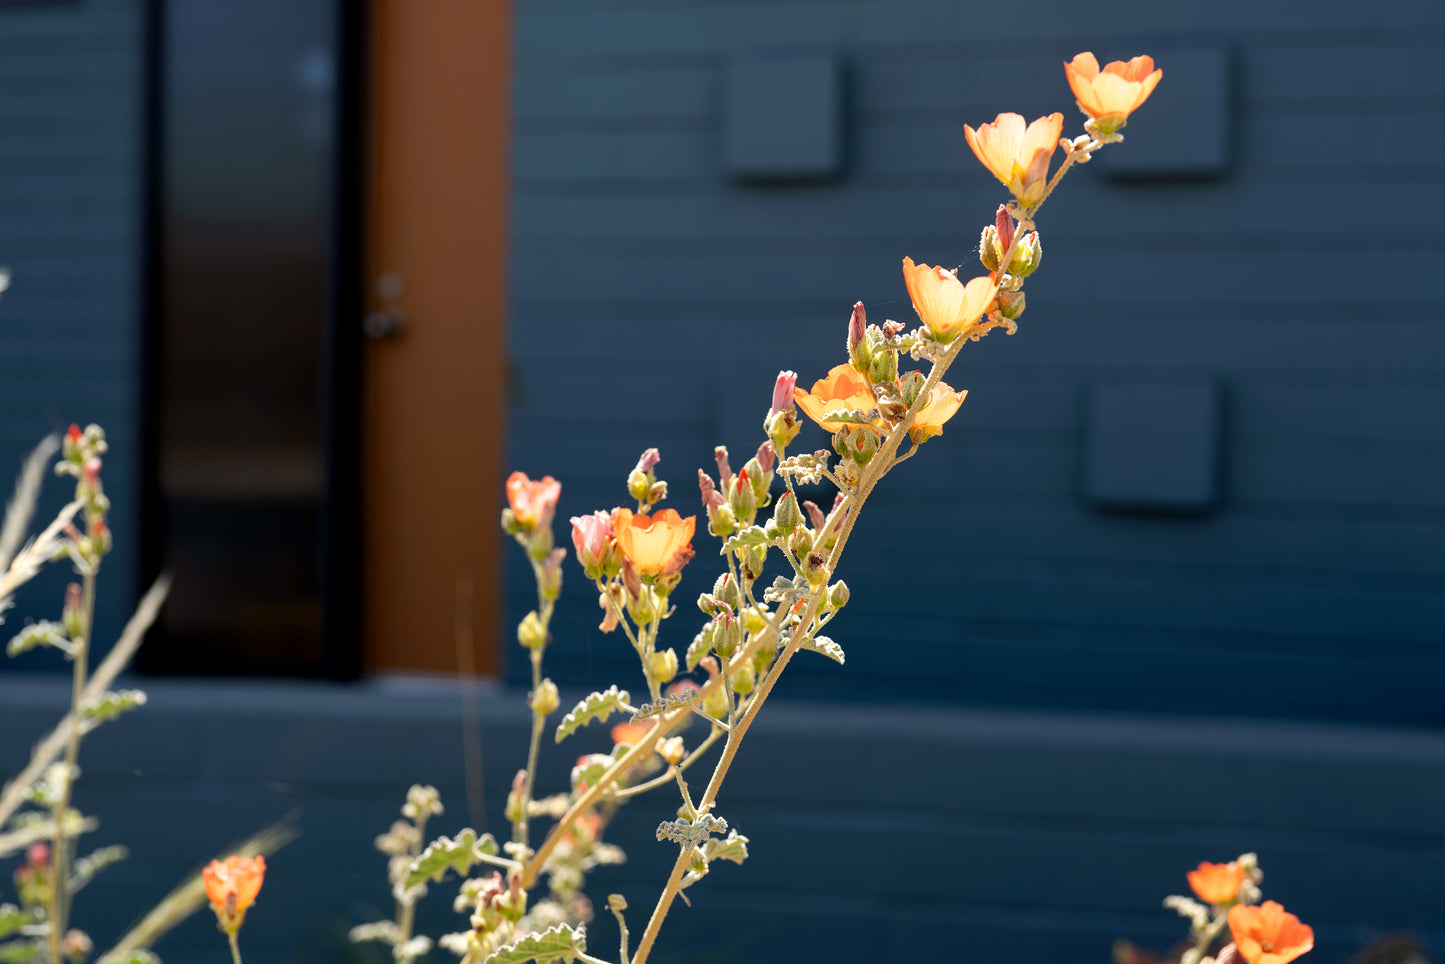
(1295, 278)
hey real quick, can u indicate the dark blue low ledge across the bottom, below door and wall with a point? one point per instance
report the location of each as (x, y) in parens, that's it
(1048, 835)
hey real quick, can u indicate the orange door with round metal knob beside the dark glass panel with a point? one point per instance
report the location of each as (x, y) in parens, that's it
(434, 414)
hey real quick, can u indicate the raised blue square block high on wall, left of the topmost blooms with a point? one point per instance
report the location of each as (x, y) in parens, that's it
(785, 119)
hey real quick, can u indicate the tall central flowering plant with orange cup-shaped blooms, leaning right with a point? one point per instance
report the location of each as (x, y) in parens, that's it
(778, 592)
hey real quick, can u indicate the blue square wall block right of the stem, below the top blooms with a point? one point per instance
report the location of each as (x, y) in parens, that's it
(1154, 447)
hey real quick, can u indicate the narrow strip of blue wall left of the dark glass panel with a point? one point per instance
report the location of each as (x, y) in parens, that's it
(70, 233)
